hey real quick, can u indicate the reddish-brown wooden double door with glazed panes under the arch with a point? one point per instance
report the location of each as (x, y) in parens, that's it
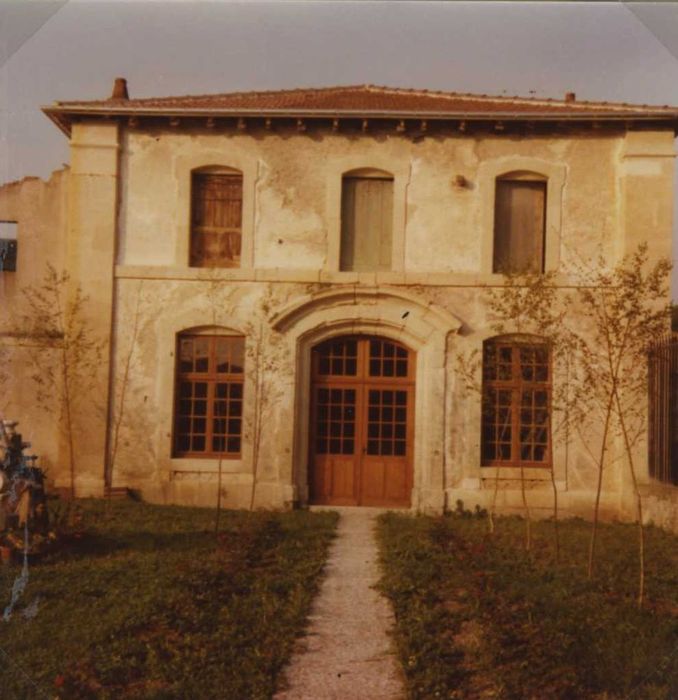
(362, 422)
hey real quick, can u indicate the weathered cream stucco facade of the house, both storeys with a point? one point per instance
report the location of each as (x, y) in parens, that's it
(127, 246)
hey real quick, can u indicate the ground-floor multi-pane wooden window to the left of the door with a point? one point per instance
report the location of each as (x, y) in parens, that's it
(208, 396)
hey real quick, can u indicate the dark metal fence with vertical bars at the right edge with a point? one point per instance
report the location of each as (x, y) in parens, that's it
(663, 408)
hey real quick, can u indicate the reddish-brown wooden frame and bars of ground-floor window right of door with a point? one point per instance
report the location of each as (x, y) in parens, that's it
(516, 385)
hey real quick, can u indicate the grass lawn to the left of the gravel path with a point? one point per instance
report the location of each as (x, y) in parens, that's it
(148, 603)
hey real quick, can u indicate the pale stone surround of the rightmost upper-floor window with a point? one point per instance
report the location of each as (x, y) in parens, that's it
(555, 174)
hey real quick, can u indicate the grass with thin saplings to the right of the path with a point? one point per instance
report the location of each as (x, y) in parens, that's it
(477, 616)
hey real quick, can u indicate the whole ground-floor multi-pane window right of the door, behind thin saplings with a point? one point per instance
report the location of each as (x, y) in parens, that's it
(516, 402)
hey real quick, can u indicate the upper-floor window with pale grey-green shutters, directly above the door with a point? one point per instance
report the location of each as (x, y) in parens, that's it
(366, 220)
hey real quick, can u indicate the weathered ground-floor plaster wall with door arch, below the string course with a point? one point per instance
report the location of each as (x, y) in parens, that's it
(447, 436)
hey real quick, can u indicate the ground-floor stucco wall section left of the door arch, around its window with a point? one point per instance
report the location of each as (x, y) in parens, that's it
(144, 396)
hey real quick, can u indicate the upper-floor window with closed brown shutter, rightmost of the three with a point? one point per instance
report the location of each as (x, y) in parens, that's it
(519, 223)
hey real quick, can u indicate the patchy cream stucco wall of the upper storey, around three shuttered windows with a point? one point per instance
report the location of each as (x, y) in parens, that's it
(292, 188)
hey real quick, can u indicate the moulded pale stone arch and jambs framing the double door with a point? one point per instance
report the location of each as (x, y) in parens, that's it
(402, 316)
